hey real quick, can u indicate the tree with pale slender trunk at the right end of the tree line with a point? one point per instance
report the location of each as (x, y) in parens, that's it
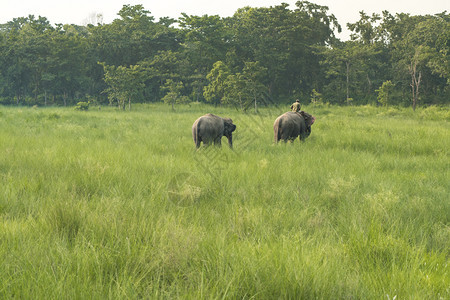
(418, 45)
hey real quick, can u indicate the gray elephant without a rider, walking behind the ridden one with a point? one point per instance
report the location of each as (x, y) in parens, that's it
(210, 128)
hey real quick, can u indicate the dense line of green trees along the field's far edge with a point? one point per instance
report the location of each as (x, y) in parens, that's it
(257, 56)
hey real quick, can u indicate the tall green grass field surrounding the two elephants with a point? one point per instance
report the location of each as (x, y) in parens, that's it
(110, 204)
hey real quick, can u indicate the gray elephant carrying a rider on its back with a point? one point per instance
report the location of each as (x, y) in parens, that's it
(292, 124)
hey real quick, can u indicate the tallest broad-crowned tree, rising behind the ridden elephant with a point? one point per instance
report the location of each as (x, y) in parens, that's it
(285, 42)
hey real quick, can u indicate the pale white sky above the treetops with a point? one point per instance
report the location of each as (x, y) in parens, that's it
(81, 11)
